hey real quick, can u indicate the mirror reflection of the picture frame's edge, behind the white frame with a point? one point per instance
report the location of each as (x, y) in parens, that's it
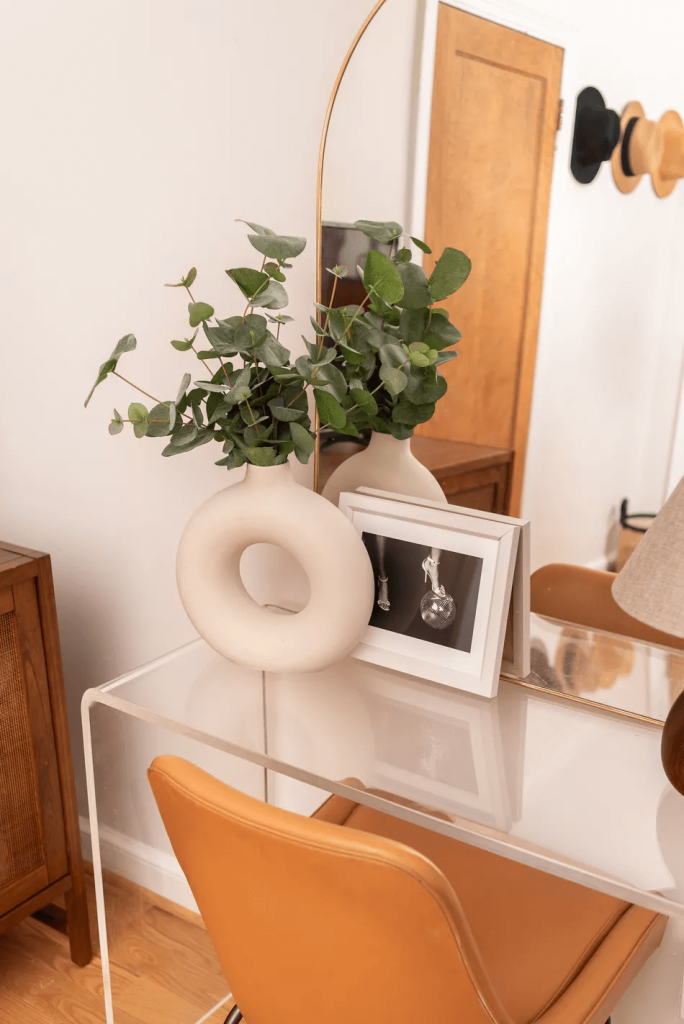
(516, 660)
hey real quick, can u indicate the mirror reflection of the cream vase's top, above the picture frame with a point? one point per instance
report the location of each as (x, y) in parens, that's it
(387, 464)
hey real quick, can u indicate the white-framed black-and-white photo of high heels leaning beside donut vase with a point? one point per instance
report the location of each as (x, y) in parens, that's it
(444, 586)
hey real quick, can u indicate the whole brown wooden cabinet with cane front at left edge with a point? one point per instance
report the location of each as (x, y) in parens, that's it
(40, 854)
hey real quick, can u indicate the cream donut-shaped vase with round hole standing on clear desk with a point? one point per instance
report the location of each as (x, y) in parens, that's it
(268, 506)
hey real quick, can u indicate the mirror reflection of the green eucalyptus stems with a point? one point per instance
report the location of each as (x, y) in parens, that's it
(381, 358)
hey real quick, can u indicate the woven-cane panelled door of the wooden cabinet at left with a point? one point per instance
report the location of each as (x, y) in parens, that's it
(33, 851)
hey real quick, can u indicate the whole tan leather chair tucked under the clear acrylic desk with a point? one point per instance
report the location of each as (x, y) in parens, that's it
(357, 916)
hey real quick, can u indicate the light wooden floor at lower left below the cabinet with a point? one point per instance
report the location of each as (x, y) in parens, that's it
(164, 969)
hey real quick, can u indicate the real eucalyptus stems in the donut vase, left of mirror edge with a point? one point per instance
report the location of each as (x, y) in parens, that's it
(258, 407)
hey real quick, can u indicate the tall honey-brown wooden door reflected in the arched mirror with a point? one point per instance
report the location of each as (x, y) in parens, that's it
(495, 116)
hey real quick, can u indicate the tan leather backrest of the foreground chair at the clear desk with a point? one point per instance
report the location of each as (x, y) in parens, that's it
(316, 923)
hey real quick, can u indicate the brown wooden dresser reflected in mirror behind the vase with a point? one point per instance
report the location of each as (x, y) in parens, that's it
(476, 477)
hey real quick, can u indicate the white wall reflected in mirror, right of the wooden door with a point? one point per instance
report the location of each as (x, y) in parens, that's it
(613, 320)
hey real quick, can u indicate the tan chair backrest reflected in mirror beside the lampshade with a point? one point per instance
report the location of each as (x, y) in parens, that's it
(584, 596)
